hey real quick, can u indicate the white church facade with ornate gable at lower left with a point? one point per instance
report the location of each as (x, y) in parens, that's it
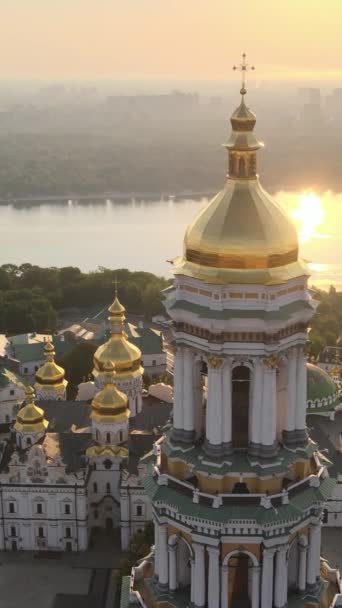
(41, 505)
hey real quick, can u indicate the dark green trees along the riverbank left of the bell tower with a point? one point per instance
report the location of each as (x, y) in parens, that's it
(30, 296)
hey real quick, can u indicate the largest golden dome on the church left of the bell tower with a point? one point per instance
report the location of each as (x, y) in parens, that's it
(125, 356)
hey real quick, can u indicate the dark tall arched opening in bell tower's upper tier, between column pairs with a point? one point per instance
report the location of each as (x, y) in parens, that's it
(240, 405)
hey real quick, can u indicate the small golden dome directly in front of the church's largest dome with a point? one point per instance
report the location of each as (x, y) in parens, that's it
(109, 403)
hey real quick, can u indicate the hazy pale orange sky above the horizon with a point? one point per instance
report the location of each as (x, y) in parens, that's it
(190, 39)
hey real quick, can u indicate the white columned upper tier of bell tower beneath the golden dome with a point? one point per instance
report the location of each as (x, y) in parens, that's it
(272, 354)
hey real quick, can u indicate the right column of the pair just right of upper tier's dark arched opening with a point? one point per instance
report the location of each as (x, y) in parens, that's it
(269, 418)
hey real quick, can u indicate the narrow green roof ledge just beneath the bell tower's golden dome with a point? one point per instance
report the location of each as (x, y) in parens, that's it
(283, 313)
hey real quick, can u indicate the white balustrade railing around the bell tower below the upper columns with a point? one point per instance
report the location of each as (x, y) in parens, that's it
(267, 501)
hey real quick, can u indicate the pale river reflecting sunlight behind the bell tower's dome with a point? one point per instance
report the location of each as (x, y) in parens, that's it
(143, 235)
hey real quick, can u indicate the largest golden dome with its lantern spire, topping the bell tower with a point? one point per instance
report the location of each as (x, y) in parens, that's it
(243, 235)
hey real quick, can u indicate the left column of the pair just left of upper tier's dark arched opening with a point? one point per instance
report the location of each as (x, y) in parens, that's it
(214, 402)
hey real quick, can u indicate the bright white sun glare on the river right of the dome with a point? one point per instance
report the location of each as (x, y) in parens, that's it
(308, 215)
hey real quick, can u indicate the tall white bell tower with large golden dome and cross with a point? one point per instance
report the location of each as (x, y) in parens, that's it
(237, 486)
